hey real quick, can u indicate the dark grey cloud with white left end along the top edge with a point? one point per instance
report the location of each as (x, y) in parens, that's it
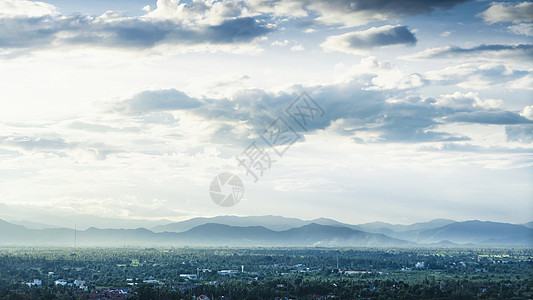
(345, 12)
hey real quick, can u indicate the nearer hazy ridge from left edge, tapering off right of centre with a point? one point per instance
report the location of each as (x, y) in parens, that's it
(203, 235)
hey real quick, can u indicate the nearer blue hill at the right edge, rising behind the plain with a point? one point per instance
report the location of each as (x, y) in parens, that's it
(480, 233)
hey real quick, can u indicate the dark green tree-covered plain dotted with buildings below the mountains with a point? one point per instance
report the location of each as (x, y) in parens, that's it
(260, 273)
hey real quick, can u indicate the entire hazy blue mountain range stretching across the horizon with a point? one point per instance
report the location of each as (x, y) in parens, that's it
(234, 231)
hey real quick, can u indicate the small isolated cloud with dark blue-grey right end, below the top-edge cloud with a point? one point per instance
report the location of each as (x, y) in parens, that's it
(359, 42)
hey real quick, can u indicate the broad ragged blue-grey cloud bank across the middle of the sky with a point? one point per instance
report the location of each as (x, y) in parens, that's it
(349, 110)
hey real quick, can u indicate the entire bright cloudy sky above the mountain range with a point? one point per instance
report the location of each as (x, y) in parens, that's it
(360, 111)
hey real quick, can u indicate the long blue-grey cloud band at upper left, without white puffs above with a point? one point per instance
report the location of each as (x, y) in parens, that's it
(45, 31)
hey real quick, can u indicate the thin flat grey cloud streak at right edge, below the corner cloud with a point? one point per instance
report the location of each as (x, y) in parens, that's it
(484, 52)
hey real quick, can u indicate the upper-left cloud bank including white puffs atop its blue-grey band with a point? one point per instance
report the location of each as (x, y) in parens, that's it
(197, 26)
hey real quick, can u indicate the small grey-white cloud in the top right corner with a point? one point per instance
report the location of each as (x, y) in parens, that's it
(506, 12)
